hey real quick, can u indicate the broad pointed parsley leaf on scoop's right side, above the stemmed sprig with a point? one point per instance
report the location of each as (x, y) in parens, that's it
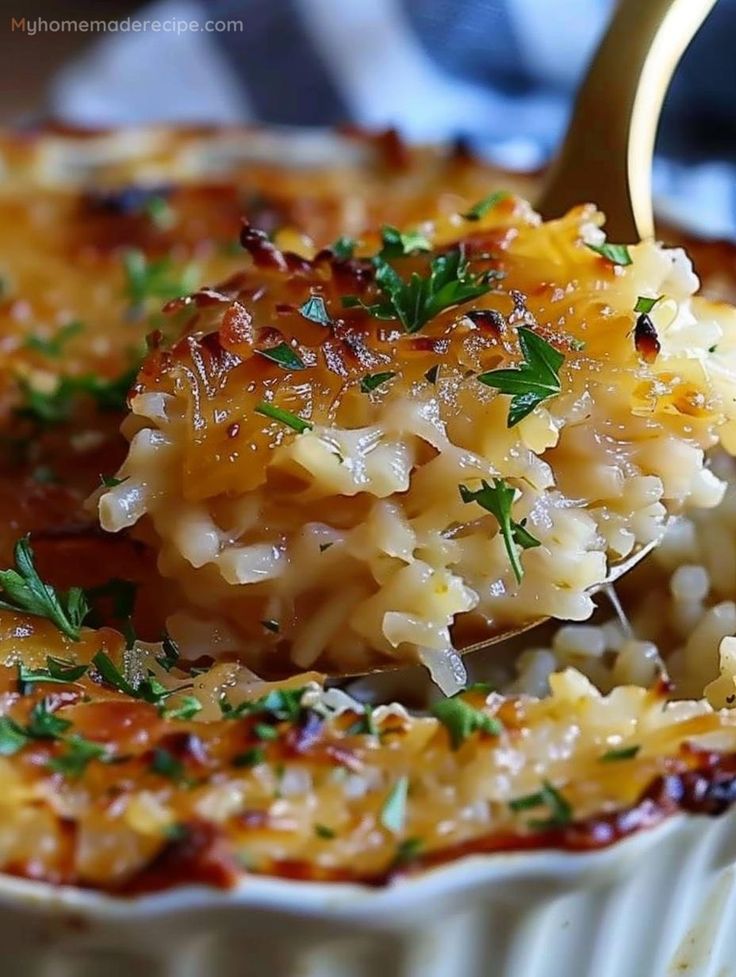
(533, 381)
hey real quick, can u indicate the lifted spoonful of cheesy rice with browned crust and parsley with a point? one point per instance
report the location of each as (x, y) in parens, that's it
(371, 453)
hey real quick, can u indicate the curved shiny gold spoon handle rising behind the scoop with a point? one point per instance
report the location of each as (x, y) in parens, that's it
(606, 157)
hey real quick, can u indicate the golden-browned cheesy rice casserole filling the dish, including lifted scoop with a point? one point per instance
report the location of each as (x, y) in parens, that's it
(380, 426)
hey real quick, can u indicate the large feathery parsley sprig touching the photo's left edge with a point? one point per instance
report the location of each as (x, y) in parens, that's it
(23, 589)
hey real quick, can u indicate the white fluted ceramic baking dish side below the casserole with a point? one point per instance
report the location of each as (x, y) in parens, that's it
(659, 904)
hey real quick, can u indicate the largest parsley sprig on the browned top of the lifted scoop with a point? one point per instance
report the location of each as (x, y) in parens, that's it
(416, 301)
